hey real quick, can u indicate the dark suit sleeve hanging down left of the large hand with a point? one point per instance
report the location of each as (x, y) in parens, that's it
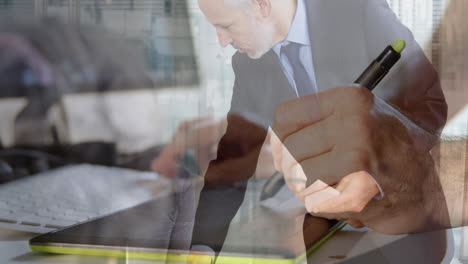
(225, 181)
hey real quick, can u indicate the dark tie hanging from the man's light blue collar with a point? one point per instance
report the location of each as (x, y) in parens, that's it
(301, 78)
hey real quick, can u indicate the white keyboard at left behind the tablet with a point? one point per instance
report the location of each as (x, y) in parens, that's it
(73, 194)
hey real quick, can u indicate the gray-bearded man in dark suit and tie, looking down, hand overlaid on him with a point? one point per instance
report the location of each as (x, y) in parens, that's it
(346, 153)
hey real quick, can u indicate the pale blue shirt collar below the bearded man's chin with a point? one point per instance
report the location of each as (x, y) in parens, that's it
(299, 31)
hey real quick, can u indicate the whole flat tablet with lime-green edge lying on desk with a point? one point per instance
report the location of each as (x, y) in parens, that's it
(161, 230)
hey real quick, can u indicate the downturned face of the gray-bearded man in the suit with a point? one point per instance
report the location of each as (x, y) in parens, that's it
(240, 26)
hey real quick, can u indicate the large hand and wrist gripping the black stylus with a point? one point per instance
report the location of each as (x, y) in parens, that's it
(346, 138)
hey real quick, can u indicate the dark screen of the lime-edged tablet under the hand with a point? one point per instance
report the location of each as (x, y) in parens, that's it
(167, 223)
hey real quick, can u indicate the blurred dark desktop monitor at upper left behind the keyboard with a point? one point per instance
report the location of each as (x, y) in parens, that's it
(96, 44)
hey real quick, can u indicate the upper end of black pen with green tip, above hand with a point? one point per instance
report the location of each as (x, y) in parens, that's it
(377, 70)
